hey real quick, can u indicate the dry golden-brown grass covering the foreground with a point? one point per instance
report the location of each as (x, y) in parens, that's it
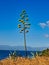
(26, 61)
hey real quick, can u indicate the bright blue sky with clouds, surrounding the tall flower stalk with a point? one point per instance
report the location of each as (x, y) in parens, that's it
(38, 12)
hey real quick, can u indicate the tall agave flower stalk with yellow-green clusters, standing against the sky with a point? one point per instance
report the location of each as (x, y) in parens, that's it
(24, 26)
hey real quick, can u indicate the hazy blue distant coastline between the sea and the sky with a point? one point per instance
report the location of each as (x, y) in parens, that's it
(6, 47)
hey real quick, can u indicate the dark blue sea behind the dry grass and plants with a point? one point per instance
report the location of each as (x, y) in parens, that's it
(5, 53)
